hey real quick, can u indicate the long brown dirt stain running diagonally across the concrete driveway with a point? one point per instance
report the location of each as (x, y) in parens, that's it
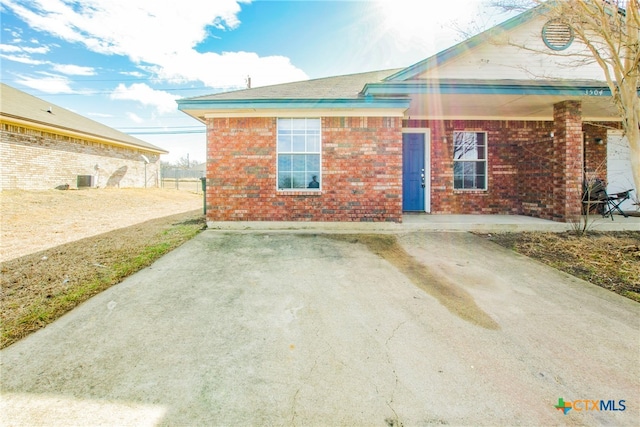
(454, 298)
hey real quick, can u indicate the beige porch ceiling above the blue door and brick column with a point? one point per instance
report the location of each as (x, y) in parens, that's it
(505, 106)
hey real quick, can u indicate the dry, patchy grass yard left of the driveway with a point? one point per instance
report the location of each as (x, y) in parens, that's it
(59, 248)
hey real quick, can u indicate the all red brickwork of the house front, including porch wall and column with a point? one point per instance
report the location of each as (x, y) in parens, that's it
(362, 169)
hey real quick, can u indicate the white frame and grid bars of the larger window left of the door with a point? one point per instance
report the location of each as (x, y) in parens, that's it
(306, 152)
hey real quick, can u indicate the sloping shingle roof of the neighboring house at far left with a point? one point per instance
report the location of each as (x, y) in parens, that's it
(20, 105)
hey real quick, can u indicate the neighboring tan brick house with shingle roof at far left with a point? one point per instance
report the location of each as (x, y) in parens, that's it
(44, 146)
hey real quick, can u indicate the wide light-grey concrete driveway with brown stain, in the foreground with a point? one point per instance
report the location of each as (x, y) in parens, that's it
(297, 329)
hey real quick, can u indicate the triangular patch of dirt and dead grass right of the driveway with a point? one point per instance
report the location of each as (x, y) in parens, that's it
(610, 260)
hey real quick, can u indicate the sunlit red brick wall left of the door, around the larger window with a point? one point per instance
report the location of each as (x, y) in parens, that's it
(361, 172)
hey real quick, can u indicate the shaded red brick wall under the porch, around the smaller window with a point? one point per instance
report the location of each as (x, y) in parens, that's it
(521, 167)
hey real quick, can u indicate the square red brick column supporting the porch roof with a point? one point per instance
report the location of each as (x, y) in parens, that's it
(567, 160)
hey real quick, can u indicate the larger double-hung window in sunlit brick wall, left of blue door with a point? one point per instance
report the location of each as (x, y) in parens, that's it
(299, 154)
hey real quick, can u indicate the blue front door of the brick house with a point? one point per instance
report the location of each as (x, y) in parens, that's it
(413, 173)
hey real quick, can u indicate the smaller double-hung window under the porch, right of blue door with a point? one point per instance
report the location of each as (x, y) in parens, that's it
(470, 160)
